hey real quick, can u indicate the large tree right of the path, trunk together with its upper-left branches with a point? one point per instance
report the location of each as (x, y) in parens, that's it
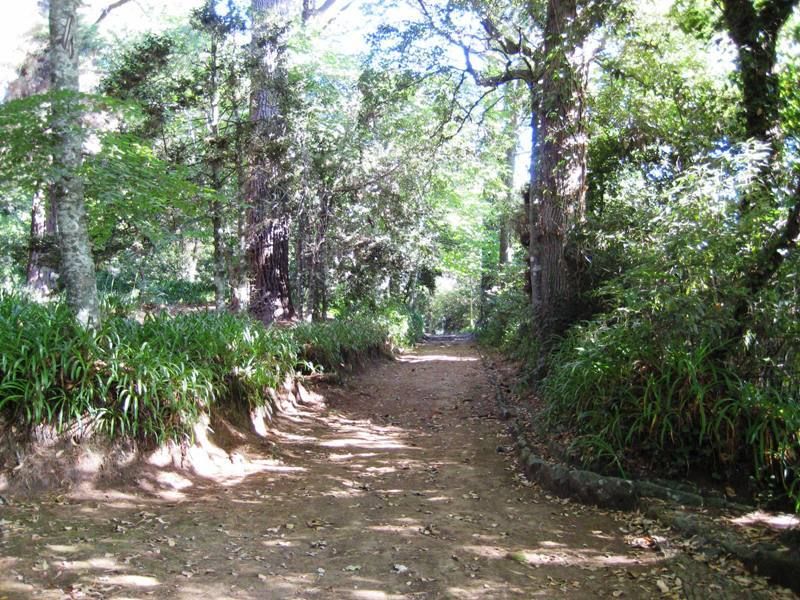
(556, 73)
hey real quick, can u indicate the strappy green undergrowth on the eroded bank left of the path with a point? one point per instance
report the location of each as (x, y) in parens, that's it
(153, 379)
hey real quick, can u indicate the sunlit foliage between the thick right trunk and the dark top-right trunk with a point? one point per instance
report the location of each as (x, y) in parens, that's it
(659, 104)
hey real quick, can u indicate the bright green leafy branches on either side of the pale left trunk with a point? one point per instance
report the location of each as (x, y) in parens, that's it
(133, 198)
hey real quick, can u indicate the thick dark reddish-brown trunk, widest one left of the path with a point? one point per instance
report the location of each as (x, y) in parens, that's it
(268, 186)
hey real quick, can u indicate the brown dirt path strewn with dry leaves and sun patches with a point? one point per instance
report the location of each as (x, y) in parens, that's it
(401, 488)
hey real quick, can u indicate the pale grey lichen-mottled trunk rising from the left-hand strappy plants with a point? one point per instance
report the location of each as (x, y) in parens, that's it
(77, 266)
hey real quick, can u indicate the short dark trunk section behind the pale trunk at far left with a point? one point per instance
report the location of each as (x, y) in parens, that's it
(41, 276)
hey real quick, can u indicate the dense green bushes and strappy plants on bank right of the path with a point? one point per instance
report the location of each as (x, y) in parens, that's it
(655, 372)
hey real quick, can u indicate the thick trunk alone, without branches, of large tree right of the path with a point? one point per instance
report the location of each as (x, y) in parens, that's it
(558, 187)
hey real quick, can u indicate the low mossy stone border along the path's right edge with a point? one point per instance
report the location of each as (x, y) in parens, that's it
(777, 563)
